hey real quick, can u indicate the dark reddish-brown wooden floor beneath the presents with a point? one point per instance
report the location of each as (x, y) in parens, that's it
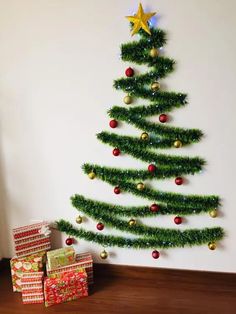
(136, 290)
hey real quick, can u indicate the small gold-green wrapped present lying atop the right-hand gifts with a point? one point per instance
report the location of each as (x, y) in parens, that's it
(60, 257)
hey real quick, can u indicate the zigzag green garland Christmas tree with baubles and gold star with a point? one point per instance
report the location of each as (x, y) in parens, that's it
(154, 138)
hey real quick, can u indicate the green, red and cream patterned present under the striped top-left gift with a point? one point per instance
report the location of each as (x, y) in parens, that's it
(32, 263)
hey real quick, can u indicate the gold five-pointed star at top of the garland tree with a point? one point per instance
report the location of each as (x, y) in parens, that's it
(140, 20)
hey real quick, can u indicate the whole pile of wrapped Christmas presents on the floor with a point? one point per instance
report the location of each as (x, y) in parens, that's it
(67, 274)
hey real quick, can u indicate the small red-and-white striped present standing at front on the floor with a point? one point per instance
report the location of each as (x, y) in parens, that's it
(32, 288)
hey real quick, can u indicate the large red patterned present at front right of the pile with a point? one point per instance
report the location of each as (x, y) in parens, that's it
(67, 287)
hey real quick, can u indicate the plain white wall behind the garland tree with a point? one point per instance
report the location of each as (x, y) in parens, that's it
(58, 59)
